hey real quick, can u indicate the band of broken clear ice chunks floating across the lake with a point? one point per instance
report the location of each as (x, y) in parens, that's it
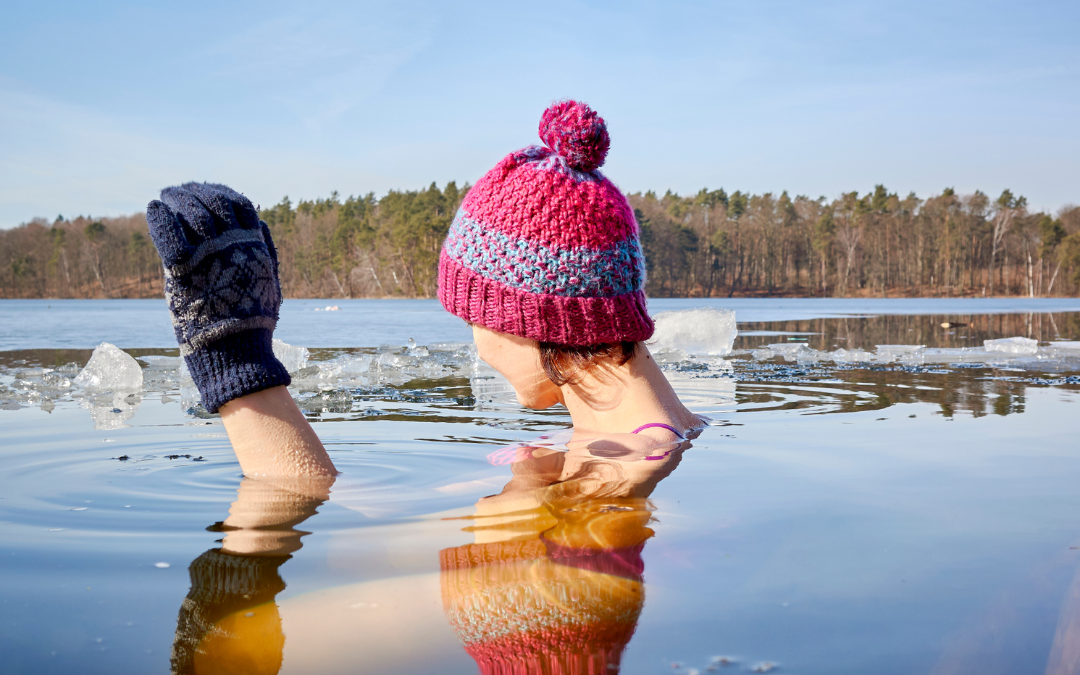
(696, 348)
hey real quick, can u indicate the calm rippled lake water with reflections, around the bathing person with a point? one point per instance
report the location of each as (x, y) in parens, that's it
(852, 508)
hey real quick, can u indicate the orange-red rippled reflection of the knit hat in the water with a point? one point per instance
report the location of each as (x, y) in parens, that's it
(526, 607)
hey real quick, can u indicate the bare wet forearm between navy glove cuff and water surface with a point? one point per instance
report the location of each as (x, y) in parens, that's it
(272, 437)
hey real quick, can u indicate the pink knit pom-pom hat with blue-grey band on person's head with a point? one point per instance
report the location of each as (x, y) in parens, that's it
(545, 247)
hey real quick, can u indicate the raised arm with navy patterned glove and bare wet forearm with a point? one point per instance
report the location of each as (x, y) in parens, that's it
(224, 295)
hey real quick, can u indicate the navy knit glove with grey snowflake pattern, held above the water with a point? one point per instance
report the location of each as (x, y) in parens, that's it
(222, 288)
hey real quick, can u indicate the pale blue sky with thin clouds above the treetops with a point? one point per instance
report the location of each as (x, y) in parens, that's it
(103, 104)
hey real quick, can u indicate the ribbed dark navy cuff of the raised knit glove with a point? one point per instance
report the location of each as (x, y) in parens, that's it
(235, 367)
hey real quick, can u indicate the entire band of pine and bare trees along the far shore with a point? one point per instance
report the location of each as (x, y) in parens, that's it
(711, 245)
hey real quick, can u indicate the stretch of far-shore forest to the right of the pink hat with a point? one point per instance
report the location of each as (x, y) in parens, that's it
(877, 245)
